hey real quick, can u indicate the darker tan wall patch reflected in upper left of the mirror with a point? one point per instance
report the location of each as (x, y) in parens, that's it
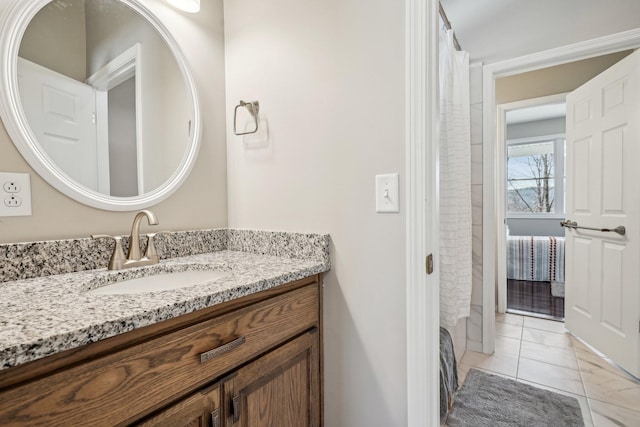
(56, 39)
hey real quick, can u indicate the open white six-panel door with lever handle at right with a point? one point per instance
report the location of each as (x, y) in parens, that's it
(603, 191)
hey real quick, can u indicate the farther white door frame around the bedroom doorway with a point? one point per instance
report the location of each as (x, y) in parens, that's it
(501, 187)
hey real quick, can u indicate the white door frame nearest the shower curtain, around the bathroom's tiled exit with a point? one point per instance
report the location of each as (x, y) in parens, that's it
(562, 55)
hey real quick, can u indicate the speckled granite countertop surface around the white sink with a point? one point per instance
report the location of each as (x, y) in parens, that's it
(45, 315)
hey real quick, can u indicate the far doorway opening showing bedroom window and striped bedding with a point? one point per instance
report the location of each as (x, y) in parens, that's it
(533, 143)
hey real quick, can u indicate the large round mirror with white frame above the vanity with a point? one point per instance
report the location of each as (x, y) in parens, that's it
(98, 99)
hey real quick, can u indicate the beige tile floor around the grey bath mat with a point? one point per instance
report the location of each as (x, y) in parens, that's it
(542, 353)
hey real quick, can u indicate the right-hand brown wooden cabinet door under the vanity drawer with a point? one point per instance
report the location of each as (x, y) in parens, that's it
(280, 389)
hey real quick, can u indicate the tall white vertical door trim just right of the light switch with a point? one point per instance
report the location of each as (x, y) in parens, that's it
(422, 290)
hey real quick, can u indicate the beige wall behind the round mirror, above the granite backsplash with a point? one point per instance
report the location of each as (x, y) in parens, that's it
(200, 203)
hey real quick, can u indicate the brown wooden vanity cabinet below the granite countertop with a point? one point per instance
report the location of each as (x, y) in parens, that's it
(254, 361)
